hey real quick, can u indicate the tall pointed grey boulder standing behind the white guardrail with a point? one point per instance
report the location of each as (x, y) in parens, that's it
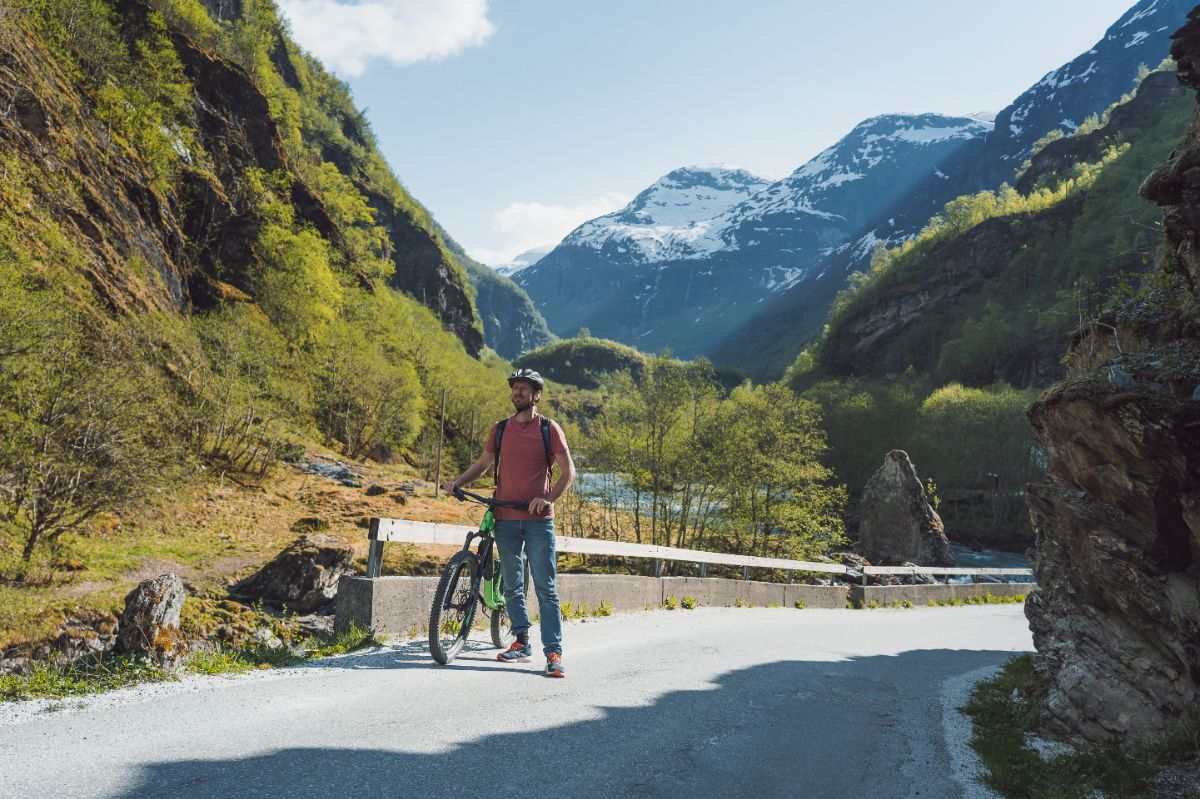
(898, 524)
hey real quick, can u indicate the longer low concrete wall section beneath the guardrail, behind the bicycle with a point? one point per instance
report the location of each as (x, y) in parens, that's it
(400, 606)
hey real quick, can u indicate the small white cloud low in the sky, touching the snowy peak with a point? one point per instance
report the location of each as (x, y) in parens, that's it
(529, 226)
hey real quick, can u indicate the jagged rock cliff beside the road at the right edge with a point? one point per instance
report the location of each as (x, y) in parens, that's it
(1117, 618)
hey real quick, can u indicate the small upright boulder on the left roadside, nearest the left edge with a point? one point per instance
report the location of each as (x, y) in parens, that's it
(149, 624)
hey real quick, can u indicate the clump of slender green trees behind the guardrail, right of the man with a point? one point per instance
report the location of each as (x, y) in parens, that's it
(686, 465)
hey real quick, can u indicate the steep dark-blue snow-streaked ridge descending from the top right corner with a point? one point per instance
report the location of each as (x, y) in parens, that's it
(1060, 103)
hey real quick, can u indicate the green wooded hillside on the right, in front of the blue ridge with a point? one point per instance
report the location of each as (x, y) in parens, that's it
(997, 296)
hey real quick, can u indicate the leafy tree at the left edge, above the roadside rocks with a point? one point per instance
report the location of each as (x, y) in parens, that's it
(81, 425)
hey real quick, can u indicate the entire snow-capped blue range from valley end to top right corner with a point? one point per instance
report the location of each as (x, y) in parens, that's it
(676, 269)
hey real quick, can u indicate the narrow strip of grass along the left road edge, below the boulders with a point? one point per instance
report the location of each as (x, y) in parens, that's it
(47, 681)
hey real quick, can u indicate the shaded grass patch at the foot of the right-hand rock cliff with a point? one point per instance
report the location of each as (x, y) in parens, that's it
(1007, 707)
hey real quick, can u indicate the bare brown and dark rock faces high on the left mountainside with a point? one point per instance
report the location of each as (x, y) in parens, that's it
(197, 236)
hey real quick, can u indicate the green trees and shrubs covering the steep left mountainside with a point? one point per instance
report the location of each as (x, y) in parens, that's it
(101, 404)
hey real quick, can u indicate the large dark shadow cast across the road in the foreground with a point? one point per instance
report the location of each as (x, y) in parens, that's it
(861, 728)
